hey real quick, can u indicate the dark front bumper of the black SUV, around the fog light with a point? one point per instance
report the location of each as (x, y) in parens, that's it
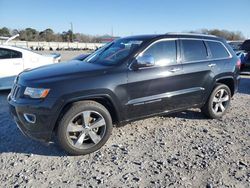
(46, 116)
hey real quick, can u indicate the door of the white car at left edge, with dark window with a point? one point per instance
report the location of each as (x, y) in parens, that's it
(11, 64)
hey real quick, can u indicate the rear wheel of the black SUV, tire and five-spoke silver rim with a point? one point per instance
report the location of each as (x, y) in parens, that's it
(218, 102)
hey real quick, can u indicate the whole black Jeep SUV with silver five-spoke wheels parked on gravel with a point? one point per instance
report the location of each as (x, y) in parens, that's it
(126, 80)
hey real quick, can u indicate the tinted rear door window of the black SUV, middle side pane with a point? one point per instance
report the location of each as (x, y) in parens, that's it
(194, 50)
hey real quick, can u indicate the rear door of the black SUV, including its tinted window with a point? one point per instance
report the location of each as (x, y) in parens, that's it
(197, 73)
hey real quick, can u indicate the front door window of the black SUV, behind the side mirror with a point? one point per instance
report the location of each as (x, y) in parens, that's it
(164, 52)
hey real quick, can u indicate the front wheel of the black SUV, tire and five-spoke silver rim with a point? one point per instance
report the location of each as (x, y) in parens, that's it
(84, 128)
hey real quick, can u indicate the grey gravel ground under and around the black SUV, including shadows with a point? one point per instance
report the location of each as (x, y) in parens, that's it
(180, 150)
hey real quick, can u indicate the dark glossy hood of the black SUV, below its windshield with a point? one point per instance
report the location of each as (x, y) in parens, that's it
(64, 70)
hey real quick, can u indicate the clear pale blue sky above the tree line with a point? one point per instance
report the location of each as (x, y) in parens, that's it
(126, 17)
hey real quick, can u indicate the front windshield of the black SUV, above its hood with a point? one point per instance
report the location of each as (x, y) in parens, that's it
(114, 52)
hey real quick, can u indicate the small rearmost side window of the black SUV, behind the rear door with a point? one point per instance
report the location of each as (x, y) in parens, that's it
(217, 50)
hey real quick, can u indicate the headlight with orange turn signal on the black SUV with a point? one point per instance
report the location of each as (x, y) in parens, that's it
(36, 93)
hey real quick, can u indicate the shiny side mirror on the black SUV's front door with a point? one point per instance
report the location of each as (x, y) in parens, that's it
(143, 61)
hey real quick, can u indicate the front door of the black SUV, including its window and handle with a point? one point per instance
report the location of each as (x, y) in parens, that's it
(155, 89)
